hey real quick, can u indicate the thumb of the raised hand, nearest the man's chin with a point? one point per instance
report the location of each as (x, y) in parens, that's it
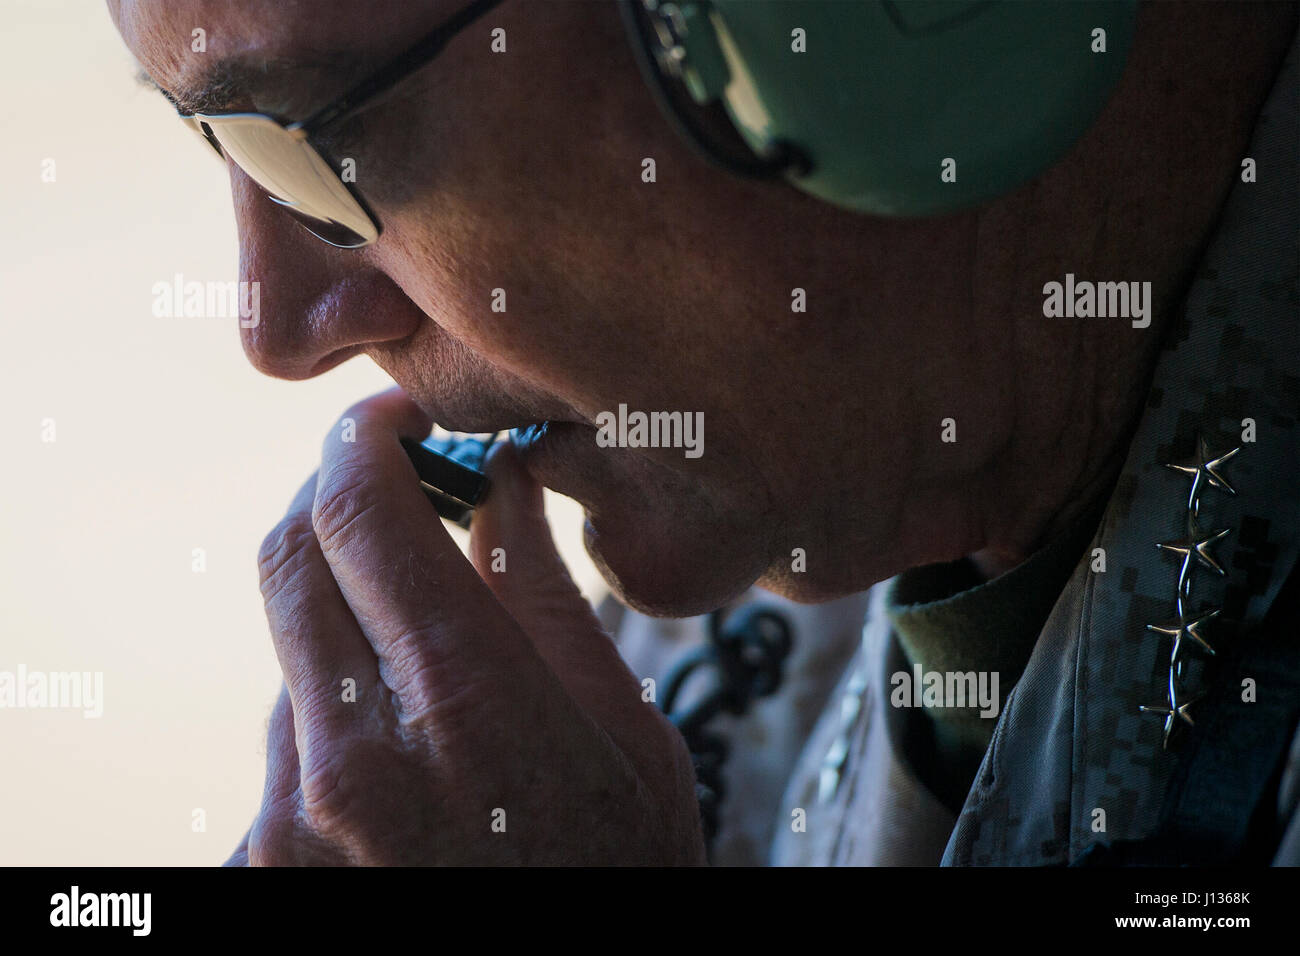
(512, 547)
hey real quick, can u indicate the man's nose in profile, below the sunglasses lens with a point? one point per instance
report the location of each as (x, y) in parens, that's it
(318, 305)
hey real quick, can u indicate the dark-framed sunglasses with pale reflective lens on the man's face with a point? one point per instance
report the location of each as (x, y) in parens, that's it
(280, 158)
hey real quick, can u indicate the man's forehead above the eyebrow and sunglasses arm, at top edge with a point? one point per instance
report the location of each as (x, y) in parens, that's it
(262, 44)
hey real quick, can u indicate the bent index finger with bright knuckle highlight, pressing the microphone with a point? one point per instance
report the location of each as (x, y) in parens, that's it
(434, 625)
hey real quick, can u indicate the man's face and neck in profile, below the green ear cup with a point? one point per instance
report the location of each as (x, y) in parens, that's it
(522, 172)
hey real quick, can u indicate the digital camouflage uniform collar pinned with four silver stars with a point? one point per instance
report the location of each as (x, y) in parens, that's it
(1073, 760)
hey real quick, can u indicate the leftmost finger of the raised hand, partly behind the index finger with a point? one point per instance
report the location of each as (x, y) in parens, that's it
(330, 668)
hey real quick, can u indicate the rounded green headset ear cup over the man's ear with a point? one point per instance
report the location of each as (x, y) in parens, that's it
(922, 107)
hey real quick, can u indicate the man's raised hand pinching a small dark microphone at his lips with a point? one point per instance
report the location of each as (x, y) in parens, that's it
(493, 721)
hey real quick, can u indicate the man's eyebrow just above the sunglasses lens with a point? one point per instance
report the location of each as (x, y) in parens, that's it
(276, 86)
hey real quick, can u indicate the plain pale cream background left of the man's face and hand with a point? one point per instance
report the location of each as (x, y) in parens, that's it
(167, 442)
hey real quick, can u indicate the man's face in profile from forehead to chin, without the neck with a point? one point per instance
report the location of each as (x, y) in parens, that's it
(523, 172)
